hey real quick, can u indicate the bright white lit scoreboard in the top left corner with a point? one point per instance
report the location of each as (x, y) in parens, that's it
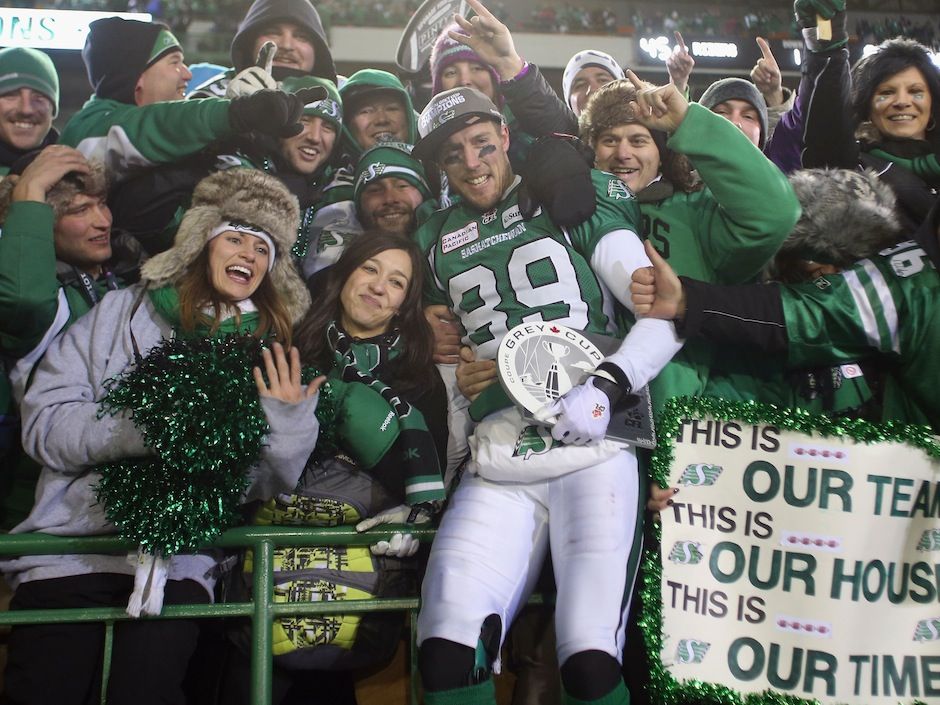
(52, 29)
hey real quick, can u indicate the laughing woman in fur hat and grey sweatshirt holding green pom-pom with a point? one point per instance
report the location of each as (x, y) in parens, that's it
(228, 272)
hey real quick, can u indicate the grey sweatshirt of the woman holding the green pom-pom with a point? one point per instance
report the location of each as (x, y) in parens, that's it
(62, 431)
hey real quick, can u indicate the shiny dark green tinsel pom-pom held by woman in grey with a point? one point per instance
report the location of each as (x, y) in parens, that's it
(196, 405)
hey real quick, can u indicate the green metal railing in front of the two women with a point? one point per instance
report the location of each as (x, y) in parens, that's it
(261, 611)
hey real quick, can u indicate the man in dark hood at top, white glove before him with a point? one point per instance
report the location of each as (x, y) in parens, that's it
(296, 30)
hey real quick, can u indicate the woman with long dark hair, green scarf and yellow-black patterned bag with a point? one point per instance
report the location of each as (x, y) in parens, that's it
(379, 462)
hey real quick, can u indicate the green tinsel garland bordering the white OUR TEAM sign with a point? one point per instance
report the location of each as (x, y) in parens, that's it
(664, 688)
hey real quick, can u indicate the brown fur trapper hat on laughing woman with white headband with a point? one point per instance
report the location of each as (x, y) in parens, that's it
(250, 196)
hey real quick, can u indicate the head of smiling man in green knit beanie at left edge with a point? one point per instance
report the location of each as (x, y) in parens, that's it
(29, 100)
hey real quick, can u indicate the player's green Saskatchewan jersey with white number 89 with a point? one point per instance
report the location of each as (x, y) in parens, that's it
(496, 270)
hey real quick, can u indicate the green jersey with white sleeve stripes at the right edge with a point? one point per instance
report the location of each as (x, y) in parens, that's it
(889, 304)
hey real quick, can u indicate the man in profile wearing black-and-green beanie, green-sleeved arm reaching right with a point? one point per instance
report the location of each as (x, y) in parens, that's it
(135, 118)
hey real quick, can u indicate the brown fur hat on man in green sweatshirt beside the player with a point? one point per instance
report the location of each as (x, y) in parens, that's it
(609, 107)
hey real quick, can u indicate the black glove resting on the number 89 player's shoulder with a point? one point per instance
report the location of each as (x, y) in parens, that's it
(557, 176)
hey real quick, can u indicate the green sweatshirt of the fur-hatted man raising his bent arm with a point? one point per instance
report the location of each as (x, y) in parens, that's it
(724, 233)
